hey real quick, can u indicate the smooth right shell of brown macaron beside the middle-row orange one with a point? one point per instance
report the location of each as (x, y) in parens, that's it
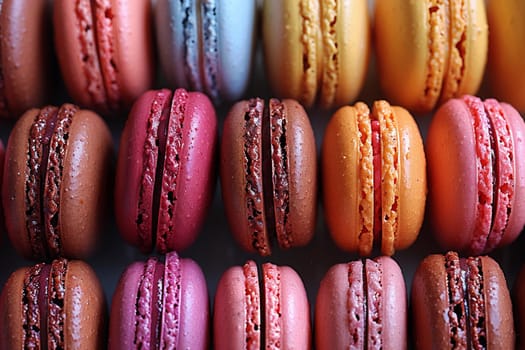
(302, 173)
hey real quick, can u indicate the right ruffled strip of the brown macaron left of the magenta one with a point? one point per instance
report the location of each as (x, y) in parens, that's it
(56, 154)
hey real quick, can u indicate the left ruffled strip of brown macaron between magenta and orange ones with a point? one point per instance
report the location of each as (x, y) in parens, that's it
(255, 203)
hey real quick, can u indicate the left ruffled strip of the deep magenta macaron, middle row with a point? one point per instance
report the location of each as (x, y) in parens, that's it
(153, 161)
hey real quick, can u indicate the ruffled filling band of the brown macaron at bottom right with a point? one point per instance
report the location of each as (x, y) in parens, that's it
(466, 313)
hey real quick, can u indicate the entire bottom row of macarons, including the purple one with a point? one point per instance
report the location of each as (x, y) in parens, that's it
(456, 302)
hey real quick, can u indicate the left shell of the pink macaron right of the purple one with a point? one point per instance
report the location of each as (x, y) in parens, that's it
(230, 311)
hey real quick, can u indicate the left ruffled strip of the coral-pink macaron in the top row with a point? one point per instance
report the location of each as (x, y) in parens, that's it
(91, 67)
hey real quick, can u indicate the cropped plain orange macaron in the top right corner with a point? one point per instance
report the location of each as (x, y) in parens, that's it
(506, 51)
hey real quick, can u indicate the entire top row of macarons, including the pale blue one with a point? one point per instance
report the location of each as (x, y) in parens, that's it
(316, 52)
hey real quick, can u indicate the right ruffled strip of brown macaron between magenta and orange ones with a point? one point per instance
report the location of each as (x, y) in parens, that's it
(279, 175)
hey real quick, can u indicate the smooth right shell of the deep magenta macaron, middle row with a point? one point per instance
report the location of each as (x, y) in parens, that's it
(196, 178)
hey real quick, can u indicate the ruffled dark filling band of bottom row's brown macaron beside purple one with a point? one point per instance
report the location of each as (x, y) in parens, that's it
(44, 298)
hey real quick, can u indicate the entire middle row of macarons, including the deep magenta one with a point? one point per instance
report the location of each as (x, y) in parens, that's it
(373, 173)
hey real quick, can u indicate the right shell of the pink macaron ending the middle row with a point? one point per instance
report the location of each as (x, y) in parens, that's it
(516, 221)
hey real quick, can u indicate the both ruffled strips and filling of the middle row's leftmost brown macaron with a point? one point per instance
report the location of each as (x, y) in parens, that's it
(47, 144)
